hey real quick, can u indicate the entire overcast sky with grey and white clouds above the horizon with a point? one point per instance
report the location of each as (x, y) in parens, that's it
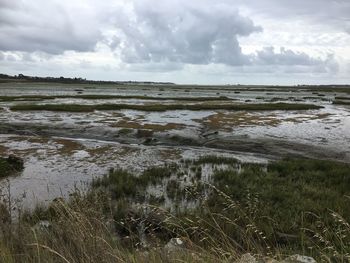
(183, 41)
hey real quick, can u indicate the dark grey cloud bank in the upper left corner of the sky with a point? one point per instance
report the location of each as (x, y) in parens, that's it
(43, 26)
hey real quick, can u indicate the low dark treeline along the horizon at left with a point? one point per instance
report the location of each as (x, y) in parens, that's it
(21, 77)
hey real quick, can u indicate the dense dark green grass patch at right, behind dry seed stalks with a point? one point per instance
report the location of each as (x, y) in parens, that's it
(287, 197)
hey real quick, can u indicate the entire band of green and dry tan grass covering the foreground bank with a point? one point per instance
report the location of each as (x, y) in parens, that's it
(286, 207)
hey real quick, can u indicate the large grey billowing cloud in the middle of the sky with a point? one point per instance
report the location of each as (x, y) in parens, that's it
(189, 32)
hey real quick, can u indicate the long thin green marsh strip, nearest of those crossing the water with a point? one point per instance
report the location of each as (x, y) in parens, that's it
(163, 107)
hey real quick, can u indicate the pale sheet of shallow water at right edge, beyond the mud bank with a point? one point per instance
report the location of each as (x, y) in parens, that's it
(331, 132)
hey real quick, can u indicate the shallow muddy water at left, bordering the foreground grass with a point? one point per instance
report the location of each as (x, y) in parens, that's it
(52, 171)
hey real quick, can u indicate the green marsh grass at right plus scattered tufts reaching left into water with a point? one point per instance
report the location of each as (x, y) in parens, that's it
(275, 197)
